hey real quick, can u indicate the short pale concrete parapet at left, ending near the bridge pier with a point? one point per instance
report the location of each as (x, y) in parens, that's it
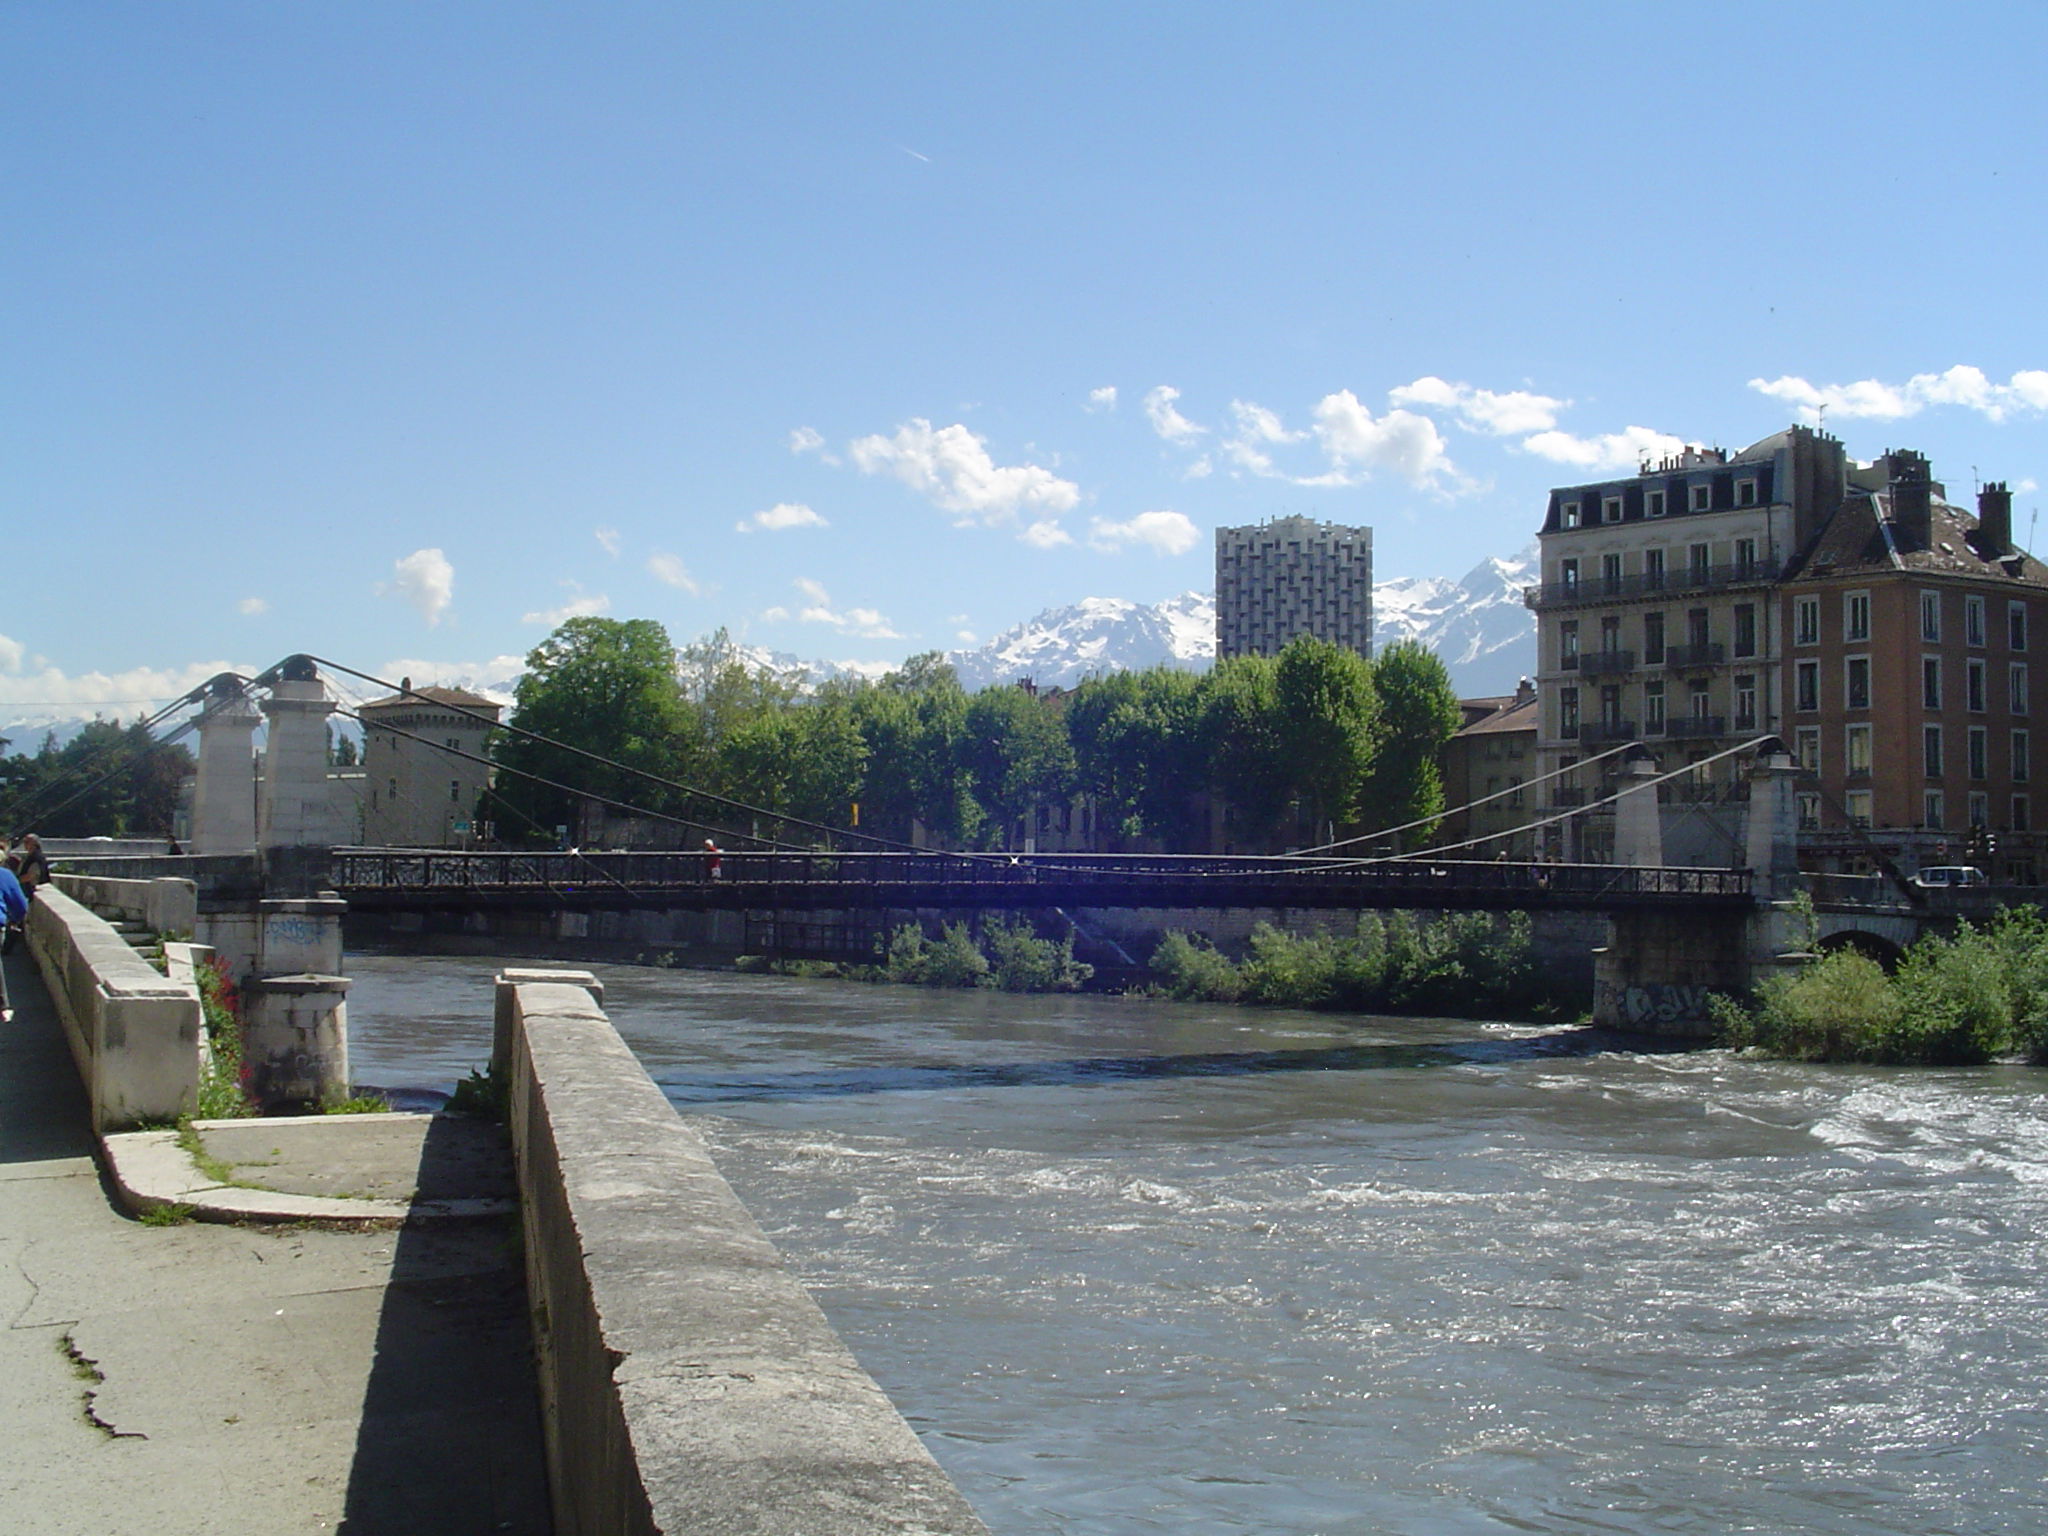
(136, 1035)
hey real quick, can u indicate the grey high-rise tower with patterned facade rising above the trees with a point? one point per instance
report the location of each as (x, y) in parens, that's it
(1293, 577)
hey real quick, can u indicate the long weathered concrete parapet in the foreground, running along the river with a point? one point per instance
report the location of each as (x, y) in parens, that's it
(689, 1383)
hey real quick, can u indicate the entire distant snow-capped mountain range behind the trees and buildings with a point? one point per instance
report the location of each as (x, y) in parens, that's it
(1476, 624)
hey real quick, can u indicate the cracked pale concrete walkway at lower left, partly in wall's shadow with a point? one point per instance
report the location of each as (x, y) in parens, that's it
(249, 1379)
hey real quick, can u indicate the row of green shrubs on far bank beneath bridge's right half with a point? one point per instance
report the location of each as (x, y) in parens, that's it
(1463, 966)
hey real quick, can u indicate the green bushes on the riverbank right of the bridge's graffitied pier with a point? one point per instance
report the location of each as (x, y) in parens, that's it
(1955, 1000)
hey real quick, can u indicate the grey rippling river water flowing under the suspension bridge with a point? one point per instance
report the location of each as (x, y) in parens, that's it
(1138, 1267)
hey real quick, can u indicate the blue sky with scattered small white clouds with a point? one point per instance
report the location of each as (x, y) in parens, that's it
(394, 333)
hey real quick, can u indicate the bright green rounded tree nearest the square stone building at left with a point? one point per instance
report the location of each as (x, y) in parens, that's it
(607, 687)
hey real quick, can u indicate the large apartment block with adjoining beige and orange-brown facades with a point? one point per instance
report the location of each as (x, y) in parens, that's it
(1787, 591)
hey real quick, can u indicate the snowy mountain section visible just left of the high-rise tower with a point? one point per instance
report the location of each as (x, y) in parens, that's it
(1062, 646)
